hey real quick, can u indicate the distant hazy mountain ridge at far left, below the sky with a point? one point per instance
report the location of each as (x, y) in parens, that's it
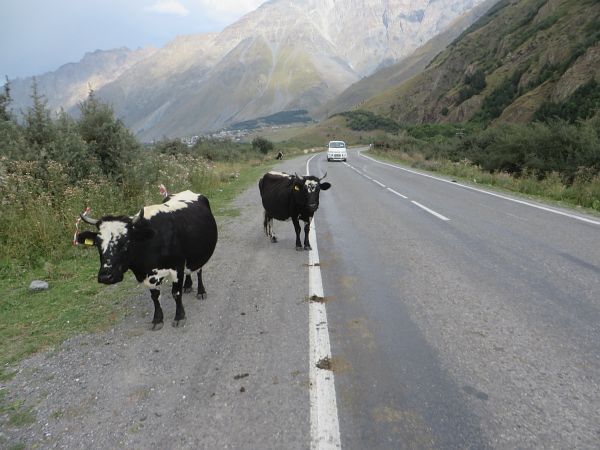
(68, 85)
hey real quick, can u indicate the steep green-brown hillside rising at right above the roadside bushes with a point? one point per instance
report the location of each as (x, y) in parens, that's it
(521, 57)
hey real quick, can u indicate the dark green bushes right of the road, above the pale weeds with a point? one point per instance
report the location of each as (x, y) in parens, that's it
(536, 150)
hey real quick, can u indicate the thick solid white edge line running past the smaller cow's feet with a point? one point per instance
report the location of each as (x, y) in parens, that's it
(324, 424)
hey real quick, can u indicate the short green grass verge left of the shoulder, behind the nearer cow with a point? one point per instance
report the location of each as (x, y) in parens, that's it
(75, 303)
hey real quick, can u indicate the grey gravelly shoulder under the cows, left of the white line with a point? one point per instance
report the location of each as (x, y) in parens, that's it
(236, 376)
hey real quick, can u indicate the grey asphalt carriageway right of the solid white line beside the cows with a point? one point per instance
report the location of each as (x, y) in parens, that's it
(458, 319)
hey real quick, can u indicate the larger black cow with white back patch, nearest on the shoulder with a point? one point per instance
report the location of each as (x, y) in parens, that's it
(161, 241)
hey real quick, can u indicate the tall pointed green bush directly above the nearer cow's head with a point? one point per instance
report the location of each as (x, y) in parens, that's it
(108, 139)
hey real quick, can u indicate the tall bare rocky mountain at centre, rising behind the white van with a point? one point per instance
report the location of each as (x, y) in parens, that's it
(286, 55)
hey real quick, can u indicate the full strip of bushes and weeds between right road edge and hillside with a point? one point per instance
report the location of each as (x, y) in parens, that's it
(557, 160)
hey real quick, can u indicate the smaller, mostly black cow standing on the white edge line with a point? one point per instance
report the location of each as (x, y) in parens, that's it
(287, 196)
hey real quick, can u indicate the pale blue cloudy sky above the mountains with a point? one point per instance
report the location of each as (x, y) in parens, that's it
(38, 36)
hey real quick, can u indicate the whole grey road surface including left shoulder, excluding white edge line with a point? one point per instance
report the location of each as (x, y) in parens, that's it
(473, 323)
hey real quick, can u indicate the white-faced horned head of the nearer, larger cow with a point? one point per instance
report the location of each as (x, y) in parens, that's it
(114, 239)
